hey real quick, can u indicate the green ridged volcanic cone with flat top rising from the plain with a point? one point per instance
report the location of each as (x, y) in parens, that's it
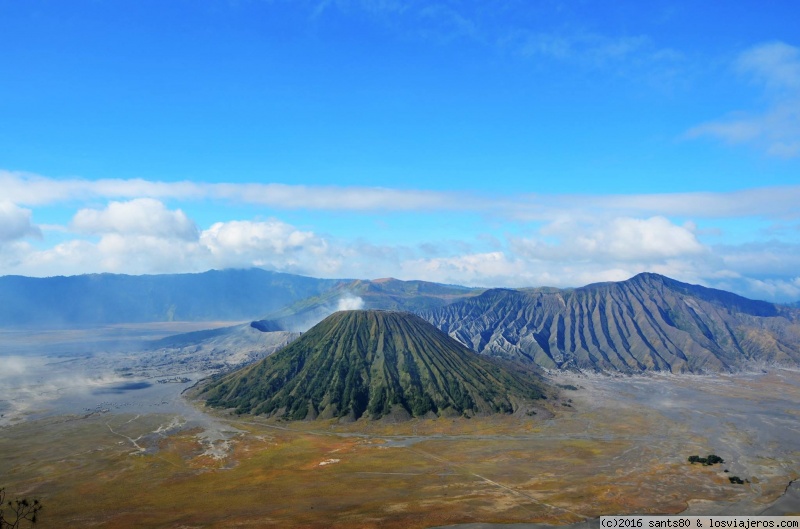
(373, 363)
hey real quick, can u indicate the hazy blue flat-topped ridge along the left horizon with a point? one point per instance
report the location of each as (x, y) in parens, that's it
(231, 295)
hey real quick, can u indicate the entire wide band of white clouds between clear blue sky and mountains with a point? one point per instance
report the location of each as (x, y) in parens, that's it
(528, 240)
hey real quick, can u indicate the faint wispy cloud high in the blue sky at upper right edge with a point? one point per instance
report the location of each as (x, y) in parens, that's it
(776, 130)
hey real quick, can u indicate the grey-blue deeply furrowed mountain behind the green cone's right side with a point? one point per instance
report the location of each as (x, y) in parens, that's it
(647, 323)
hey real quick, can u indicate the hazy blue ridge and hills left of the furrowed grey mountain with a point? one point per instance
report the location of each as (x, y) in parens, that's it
(295, 302)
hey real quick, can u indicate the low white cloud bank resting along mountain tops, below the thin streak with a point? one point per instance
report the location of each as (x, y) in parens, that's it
(566, 253)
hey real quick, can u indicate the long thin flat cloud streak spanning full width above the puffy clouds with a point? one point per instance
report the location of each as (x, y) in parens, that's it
(34, 190)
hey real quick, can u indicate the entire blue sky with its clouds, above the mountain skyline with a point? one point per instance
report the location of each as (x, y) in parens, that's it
(508, 143)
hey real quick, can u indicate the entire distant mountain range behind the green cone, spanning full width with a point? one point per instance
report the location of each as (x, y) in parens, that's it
(647, 323)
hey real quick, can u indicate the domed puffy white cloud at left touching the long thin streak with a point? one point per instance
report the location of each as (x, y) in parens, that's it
(142, 216)
